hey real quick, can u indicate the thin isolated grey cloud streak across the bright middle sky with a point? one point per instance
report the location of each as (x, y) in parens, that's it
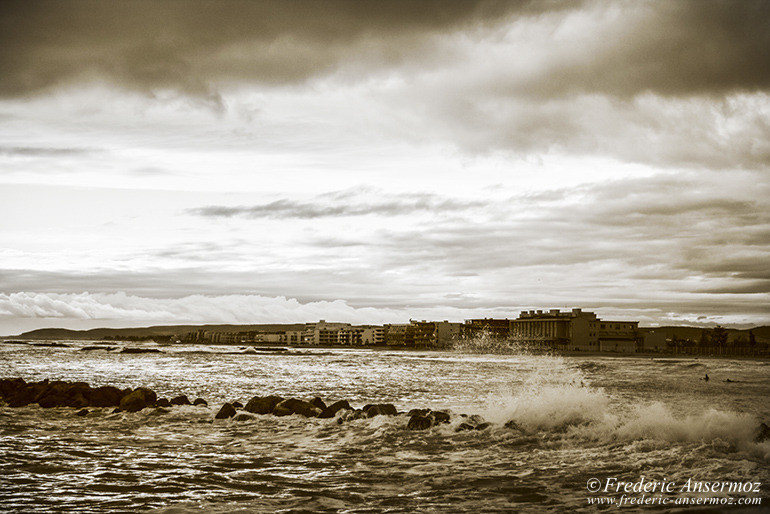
(322, 207)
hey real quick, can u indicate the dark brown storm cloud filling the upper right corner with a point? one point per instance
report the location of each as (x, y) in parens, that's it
(674, 48)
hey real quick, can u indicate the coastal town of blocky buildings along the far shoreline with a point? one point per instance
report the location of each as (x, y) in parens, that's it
(572, 330)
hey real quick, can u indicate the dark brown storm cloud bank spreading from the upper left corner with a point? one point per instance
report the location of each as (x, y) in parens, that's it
(192, 45)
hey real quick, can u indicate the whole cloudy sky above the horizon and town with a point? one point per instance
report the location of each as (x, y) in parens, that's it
(364, 161)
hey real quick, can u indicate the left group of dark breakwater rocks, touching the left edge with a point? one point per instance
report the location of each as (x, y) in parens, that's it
(16, 392)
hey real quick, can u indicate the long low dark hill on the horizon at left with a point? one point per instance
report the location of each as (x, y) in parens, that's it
(147, 332)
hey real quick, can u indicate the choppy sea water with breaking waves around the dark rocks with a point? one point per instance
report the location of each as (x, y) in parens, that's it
(579, 418)
